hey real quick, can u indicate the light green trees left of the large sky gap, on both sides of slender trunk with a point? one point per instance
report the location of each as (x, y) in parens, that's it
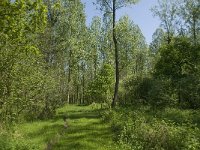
(49, 57)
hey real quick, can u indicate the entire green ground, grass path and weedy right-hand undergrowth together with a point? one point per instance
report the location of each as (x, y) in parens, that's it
(134, 128)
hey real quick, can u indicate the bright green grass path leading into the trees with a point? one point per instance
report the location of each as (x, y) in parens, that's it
(85, 131)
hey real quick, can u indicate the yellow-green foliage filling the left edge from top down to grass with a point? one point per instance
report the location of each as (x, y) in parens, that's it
(26, 85)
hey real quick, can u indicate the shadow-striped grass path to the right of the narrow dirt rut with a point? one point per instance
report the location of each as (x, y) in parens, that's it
(85, 132)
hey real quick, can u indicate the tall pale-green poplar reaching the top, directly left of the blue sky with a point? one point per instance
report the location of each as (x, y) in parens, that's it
(69, 32)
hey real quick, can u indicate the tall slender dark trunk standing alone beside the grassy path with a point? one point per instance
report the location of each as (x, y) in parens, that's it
(116, 58)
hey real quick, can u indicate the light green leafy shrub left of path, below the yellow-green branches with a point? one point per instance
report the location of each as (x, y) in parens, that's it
(32, 90)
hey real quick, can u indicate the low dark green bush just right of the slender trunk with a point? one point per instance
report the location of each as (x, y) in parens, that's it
(156, 92)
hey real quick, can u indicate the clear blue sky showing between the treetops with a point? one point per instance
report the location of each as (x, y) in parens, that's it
(139, 13)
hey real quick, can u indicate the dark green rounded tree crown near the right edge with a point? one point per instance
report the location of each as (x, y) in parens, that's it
(182, 56)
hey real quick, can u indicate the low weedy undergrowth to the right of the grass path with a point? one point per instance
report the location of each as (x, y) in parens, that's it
(140, 128)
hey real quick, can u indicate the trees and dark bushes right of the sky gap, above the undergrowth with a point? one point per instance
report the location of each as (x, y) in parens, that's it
(173, 74)
